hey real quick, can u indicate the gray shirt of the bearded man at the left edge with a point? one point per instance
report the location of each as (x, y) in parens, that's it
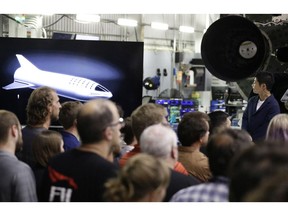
(17, 181)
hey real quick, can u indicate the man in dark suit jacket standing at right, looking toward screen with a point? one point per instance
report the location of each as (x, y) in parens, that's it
(260, 108)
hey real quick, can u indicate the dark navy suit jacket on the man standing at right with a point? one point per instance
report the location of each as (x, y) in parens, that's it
(256, 122)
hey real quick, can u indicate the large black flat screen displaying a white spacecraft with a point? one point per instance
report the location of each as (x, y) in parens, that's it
(76, 69)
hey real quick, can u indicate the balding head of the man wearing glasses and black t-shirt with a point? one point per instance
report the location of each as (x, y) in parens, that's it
(98, 120)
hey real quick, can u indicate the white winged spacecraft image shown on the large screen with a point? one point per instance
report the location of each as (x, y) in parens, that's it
(74, 87)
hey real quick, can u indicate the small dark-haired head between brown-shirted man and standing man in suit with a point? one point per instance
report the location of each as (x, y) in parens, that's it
(219, 120)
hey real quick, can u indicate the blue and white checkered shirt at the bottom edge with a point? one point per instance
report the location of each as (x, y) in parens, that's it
(216, 190)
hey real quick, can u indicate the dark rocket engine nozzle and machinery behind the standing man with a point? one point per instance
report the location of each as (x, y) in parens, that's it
(236, 47)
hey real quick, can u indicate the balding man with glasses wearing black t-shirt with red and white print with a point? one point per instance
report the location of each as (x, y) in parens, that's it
(79, 175)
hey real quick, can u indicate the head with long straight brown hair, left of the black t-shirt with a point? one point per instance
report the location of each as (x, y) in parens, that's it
(45, 145)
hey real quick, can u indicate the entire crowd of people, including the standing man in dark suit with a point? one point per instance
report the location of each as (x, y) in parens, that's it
(100, 156)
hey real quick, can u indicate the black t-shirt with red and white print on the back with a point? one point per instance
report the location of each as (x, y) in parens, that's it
(76, 176)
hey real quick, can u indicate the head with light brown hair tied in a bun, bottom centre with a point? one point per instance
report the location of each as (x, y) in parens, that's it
(144, 178)
